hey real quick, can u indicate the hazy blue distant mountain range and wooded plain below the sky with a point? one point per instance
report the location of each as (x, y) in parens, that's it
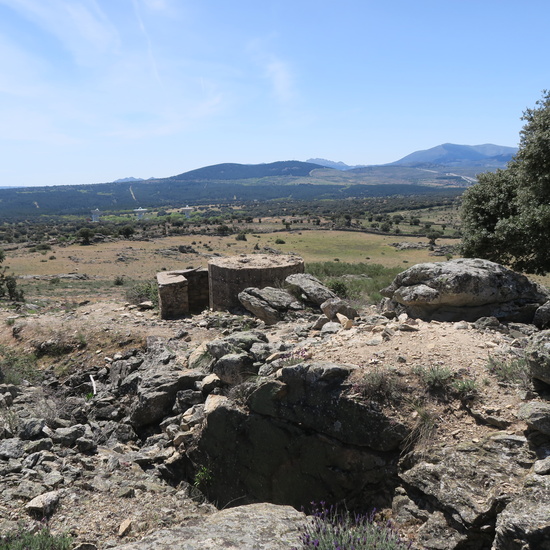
(447, 169)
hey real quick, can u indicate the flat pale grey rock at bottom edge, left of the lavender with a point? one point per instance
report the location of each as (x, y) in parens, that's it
(265, 526)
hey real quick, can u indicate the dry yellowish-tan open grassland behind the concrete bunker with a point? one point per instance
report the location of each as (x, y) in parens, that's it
(131, 261)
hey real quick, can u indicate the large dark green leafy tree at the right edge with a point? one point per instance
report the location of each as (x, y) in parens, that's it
(506, 216)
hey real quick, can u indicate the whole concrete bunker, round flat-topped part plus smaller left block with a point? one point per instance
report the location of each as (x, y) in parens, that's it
(193, 290)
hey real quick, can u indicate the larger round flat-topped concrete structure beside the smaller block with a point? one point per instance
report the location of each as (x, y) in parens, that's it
(231, 275)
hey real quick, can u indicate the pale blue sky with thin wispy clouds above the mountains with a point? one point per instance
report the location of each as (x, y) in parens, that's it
(96, 90)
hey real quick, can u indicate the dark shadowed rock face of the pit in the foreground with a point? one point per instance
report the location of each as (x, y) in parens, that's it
(295, 437)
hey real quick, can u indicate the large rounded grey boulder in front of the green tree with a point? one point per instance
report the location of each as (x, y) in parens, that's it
(464, 289)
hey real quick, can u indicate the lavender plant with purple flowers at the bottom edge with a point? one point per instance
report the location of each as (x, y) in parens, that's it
(331, 529)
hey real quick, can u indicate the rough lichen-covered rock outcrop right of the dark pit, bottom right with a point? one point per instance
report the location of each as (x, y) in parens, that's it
(469, 485)
